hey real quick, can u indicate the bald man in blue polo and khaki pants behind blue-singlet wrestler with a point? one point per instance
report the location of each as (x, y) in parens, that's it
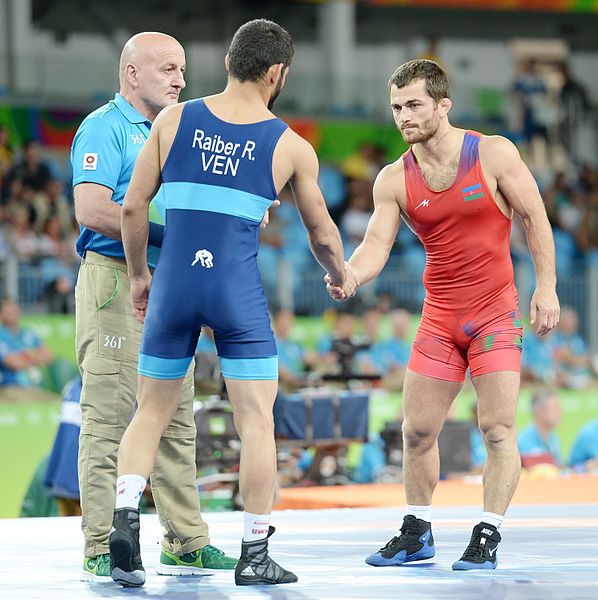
(104, 152)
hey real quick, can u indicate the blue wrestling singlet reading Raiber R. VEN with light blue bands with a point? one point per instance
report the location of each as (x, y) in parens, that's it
(217, 184)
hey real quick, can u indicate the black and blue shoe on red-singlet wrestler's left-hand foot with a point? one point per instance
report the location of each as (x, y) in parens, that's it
(416, 542)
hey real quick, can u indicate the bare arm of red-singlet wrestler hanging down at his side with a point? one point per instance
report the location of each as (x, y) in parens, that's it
(517, 185)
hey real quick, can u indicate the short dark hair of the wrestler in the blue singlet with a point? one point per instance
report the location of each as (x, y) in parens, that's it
(256, 46)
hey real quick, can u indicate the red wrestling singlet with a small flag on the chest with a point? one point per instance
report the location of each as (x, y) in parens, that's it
(470, 315)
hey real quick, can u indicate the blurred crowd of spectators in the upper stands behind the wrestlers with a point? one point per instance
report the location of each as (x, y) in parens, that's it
(550, 110)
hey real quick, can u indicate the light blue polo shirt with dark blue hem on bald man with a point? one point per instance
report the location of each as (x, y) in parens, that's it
(104, 151)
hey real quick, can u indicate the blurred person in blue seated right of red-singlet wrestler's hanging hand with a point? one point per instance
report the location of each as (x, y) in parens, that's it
(570, 352)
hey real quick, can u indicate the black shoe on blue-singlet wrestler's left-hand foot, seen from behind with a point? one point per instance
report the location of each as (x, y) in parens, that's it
(125, 553)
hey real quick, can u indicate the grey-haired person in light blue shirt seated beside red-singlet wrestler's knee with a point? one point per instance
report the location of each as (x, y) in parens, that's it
(538, 442)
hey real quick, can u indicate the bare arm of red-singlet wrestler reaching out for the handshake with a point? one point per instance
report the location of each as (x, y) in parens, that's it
(371, 255)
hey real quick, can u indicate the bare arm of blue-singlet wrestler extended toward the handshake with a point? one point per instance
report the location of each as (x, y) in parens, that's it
(324, 238)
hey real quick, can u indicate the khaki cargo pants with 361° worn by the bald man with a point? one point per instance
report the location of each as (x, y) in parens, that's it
(108, 339)
